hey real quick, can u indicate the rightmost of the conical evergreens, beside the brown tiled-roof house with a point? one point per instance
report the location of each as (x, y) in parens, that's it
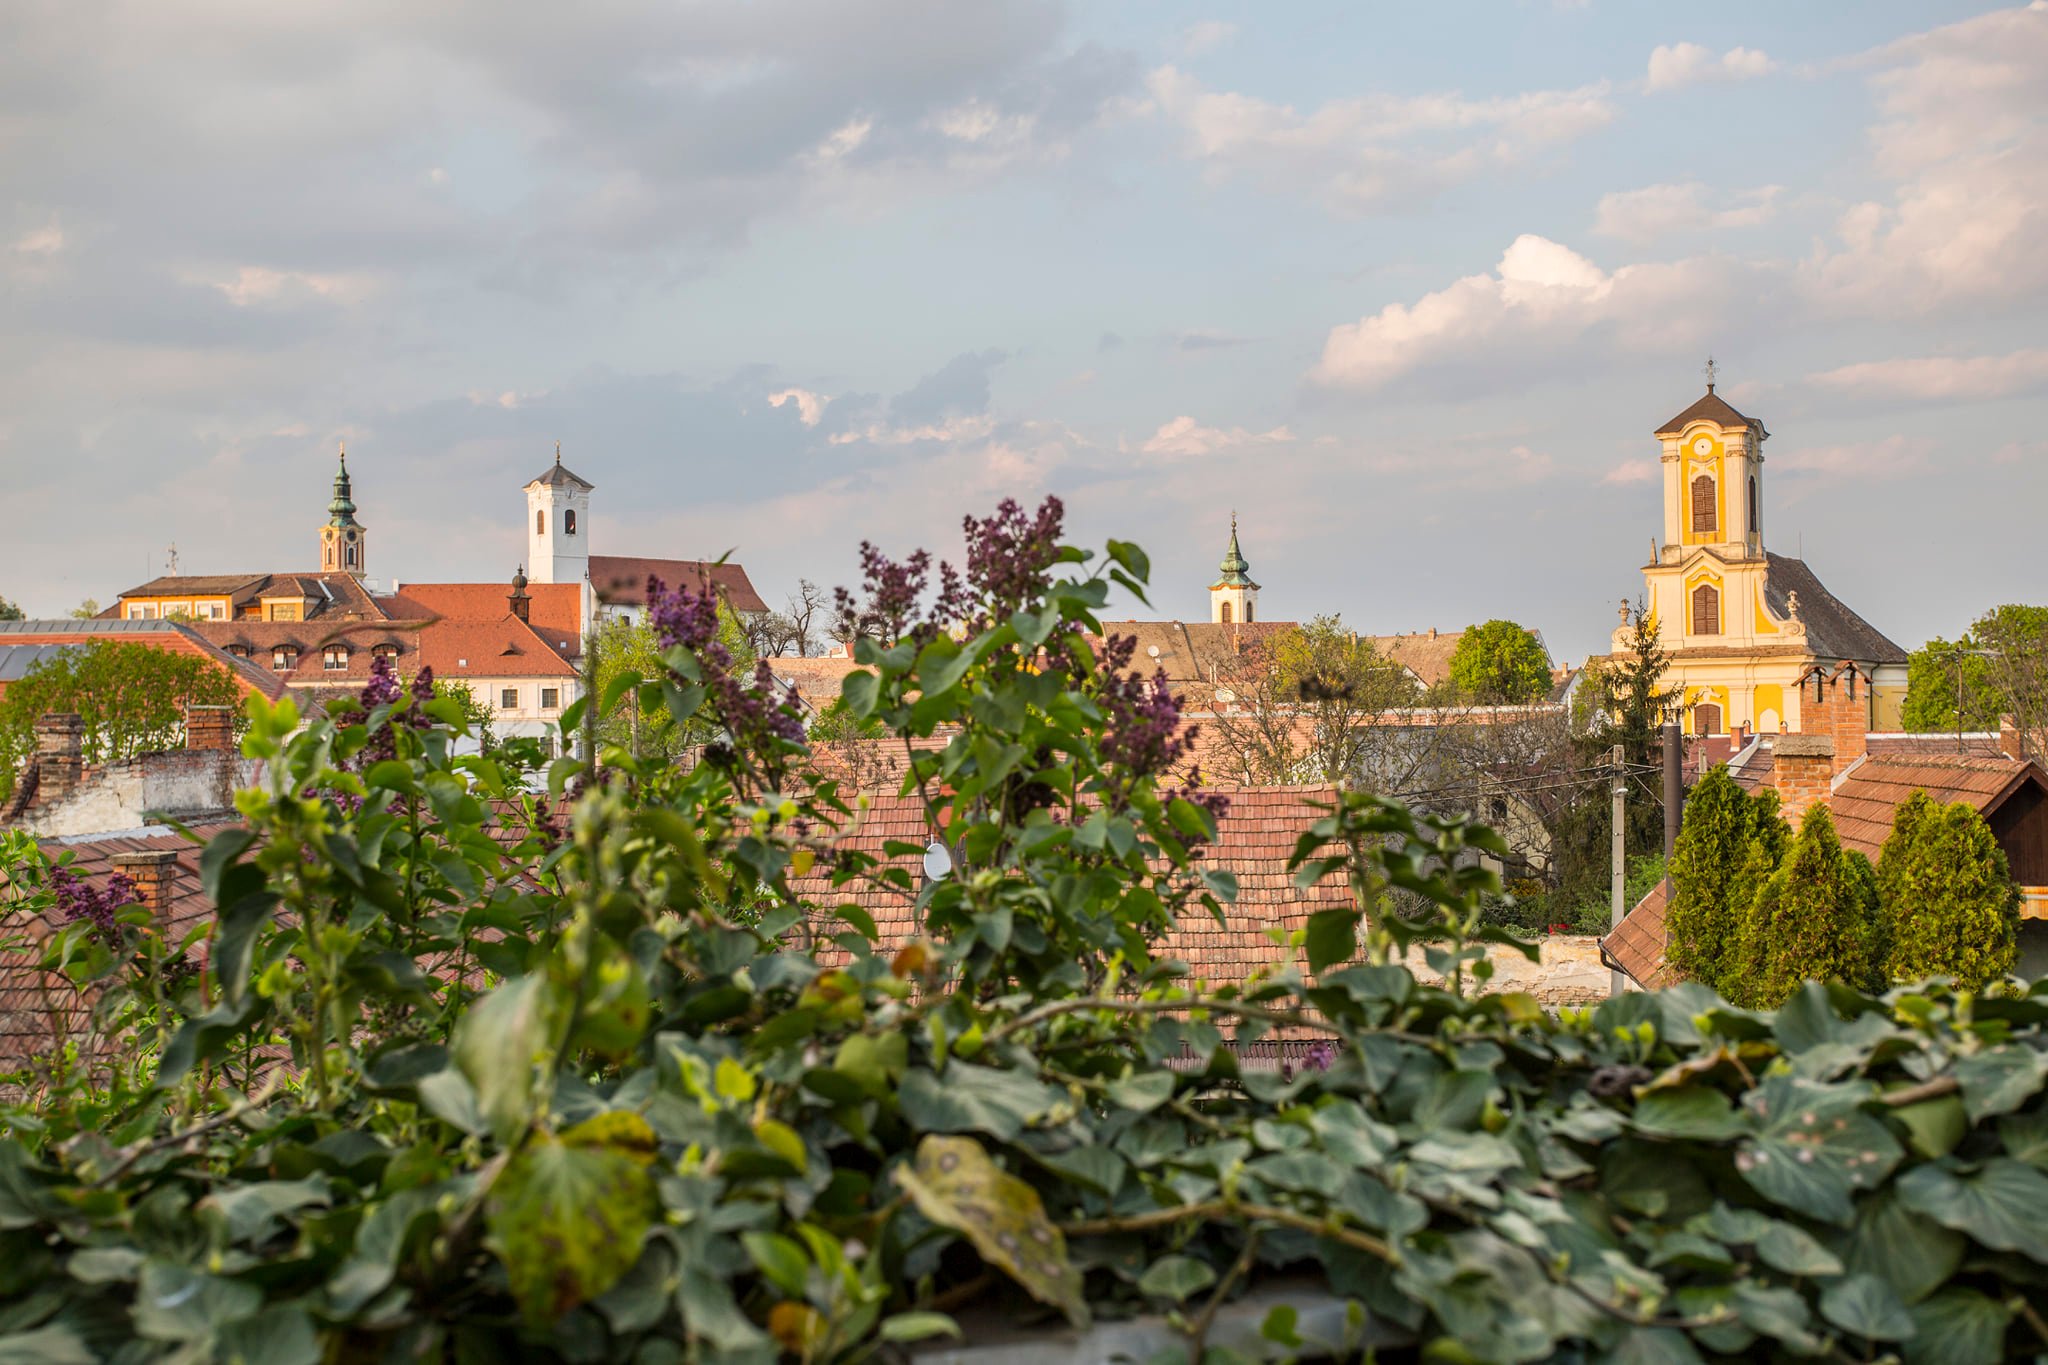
(1949, 895)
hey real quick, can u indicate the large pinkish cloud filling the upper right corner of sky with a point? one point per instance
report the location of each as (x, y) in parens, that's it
(1965, 138)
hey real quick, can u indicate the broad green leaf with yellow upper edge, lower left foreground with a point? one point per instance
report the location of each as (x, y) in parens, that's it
(568, 1219)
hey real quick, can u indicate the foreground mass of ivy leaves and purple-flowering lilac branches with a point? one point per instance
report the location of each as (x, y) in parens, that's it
(648, 1088)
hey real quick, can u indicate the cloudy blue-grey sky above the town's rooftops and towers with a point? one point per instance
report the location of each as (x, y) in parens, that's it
(1404, 288)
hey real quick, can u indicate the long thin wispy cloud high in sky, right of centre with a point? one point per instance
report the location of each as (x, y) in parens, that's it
(1371, 152)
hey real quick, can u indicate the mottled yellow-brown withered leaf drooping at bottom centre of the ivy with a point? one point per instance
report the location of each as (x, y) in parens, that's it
(957, 1186)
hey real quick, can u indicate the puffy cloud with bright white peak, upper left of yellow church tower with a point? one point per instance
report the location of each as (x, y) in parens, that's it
(1533, 310)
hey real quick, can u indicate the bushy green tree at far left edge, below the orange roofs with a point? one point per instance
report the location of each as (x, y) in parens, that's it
(130, 697)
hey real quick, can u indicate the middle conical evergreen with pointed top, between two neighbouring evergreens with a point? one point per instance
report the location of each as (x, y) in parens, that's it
(1816, 920)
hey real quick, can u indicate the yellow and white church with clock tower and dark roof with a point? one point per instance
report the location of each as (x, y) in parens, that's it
(1744, 625)
